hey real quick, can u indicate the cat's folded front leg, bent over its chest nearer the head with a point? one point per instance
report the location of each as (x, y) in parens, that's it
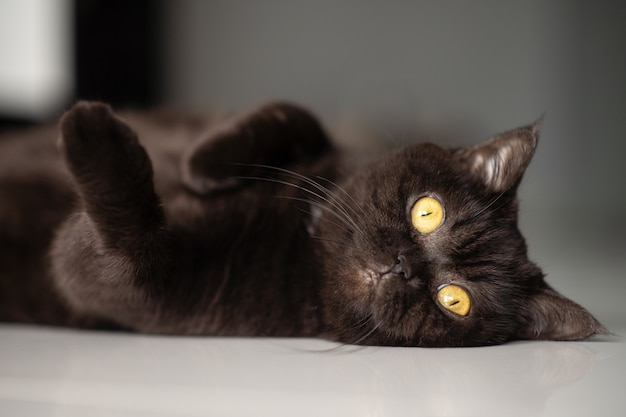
(277, 134)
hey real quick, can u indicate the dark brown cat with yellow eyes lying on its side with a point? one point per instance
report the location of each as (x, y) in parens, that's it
(255, 224)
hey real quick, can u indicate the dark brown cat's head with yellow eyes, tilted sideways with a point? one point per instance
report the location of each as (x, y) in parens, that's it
(423, 248)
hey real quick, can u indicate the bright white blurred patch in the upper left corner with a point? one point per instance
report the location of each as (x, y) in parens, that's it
(36, 69)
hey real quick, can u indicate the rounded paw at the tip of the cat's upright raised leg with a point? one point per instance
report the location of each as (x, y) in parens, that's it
(93, 140)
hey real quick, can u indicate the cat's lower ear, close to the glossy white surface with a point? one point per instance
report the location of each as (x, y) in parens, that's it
(551, 316)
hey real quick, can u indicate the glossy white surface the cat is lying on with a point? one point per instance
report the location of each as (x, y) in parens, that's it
(51, 372)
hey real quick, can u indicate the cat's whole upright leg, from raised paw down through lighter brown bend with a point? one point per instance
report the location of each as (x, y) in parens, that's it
(112, 259)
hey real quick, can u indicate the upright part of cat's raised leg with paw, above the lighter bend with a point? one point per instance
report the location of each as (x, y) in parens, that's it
(113, 173)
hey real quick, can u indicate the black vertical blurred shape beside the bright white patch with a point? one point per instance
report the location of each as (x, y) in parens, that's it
(118, 57)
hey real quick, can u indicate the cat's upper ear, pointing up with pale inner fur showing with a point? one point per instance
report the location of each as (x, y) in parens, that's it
(501, 161)
